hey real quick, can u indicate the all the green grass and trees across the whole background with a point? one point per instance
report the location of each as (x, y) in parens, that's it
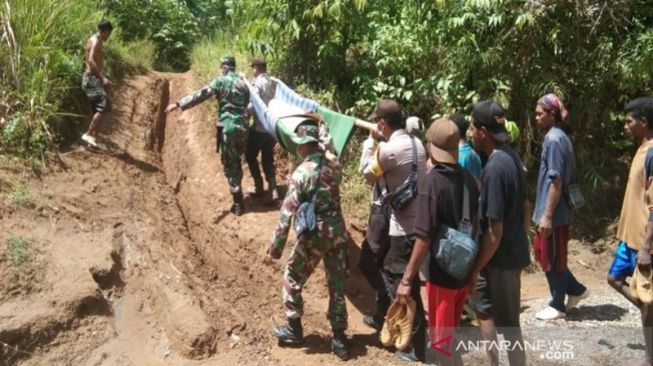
(436, 57)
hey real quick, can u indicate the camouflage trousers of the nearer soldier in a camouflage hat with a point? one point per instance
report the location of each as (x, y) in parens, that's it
(304, 258)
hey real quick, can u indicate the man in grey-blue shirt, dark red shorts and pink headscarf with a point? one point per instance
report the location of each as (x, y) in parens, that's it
(553, 214)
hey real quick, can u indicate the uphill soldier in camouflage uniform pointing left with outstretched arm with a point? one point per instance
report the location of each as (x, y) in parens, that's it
(232, 94)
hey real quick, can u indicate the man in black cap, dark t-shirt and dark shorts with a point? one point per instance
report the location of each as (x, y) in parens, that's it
(503, 244)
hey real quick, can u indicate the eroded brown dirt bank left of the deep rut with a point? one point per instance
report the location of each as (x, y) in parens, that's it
(109, 240)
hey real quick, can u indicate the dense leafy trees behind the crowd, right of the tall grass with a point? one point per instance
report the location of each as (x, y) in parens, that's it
(438, 57)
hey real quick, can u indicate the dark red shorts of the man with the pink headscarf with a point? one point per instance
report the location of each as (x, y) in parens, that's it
(551, 252)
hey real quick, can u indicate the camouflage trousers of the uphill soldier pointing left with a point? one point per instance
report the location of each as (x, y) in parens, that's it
(232, 148)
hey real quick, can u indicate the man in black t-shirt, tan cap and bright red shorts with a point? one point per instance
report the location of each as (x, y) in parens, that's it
(442, 203)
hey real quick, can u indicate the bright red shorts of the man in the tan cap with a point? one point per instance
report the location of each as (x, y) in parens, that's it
(445, 308)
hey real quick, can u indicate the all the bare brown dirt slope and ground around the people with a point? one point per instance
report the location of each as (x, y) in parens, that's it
(135, 259)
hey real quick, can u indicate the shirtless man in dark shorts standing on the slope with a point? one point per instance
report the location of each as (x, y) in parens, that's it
(94, 81)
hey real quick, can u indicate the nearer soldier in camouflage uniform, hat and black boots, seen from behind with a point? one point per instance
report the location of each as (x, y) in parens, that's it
(329, 242)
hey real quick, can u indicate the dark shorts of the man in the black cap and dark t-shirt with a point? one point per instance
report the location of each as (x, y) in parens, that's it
(497, 295)
